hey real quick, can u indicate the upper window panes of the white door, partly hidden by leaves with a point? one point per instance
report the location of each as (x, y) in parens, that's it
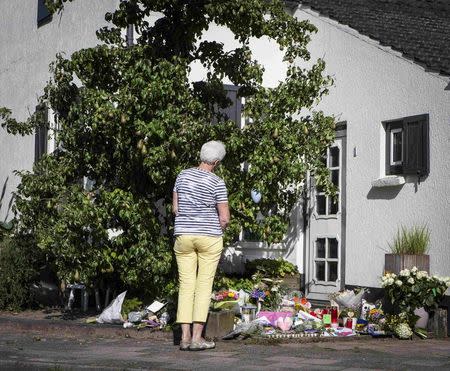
(326, 205)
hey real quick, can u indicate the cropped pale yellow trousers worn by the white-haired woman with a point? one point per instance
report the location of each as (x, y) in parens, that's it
(197, 259)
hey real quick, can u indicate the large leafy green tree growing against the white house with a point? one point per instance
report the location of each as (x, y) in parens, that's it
(130, 121)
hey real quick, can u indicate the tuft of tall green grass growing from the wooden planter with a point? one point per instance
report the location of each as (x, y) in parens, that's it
(413, 241)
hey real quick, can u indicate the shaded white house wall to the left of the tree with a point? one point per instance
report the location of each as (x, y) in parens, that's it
(26, 54)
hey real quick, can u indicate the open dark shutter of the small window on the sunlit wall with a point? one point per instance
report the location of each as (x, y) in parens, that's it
(416, 145)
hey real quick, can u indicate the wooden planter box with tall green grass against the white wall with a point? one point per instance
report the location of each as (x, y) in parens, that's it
(409, 249)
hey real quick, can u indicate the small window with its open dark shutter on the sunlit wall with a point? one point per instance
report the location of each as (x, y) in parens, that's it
(407, 146)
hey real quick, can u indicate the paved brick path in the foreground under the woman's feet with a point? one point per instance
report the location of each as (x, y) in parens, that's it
(32, 345)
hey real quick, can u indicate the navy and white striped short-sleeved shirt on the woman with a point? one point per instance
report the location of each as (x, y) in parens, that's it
(199, 191)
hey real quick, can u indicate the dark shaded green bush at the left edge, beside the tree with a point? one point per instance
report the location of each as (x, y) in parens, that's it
(18, 268)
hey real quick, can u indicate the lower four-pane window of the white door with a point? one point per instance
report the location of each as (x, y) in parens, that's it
(326, 259)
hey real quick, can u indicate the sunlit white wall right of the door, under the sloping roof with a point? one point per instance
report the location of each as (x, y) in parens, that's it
(373, 84)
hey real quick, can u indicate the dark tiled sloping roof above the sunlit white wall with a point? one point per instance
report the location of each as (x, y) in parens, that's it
(419, 29)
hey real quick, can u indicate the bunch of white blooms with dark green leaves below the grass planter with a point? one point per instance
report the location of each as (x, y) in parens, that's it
(412, 289)
